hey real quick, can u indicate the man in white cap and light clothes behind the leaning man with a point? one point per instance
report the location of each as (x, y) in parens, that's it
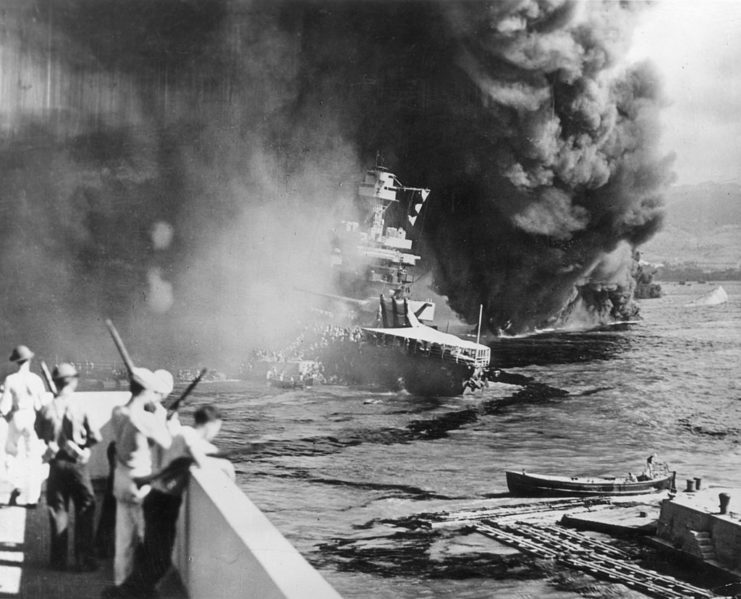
(141, 421)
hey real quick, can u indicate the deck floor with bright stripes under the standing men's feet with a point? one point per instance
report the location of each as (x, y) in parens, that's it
(24, 555)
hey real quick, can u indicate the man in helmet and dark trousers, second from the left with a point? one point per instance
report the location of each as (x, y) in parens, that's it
(64, 425)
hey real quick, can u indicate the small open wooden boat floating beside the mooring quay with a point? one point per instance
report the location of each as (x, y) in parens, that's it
(543, 485)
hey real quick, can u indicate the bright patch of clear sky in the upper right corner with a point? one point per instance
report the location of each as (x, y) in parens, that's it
(696, 46)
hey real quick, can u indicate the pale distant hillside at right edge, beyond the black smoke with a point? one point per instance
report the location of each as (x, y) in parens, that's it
(703, 225)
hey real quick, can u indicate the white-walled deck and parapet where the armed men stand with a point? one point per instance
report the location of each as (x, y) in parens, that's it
(225, 547)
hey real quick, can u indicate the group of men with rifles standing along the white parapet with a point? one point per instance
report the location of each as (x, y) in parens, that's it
(151, 456)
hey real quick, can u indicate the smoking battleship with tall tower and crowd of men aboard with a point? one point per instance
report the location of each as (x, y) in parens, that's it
(385, 335)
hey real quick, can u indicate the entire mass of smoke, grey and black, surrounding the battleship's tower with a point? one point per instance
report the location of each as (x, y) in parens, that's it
(177, 165)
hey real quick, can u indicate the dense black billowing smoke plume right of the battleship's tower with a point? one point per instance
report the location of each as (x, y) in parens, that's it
(538, 140)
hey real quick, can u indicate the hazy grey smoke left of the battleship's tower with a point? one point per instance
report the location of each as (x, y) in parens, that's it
(160, 168)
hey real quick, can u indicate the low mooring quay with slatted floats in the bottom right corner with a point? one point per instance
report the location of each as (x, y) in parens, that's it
(688, 526)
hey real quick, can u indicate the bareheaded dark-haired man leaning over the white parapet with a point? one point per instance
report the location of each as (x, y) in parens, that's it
(162, 504)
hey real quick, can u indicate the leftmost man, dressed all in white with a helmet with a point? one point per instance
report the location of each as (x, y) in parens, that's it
(22, 397)
